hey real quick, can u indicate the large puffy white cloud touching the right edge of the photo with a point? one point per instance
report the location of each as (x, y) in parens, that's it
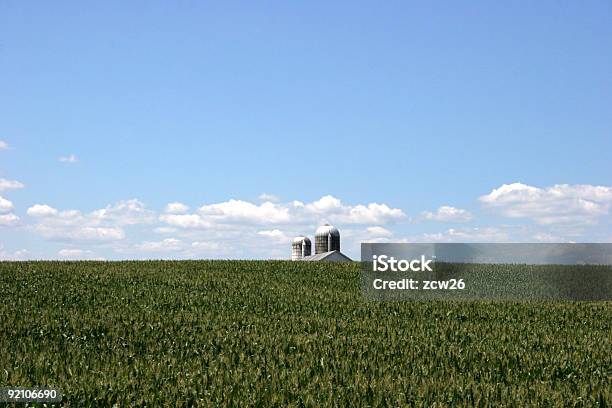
(559, 204)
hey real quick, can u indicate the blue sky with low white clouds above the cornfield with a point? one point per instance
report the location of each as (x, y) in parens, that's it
(462, 122)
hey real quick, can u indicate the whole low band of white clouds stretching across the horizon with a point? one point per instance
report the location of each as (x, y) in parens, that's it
(239, 228)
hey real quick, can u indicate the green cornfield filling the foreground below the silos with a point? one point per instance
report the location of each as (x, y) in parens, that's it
(276, 333)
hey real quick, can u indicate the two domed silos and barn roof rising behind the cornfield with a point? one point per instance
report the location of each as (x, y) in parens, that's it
(327, 246)
